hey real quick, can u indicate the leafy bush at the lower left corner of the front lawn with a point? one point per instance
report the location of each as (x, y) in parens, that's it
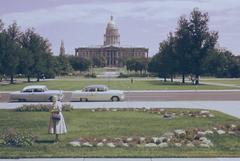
(11, 136)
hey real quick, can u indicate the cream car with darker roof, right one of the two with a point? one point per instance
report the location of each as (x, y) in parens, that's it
(97, 93)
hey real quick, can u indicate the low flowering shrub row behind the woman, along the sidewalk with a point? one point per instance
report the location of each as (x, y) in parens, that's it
(41, 108)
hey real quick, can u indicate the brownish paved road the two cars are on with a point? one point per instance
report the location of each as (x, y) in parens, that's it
(166, 95)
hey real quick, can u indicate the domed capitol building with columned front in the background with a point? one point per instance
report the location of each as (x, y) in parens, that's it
(111, 50)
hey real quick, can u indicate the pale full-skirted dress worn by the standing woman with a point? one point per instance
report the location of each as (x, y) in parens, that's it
(57, 126)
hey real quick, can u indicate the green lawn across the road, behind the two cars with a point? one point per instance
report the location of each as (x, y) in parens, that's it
(123, 84)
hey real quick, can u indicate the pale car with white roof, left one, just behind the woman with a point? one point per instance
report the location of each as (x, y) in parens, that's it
(35, 93)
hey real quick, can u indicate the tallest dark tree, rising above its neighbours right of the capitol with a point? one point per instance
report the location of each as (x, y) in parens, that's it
(201, 40)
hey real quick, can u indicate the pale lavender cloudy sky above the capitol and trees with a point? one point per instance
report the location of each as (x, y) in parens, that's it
(141, 22)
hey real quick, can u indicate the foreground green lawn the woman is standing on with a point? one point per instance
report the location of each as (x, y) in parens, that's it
(84, 123)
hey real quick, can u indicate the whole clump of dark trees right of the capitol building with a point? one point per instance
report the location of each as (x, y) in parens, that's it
(191, 50)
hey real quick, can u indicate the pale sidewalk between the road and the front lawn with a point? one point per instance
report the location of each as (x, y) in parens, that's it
(228, 107)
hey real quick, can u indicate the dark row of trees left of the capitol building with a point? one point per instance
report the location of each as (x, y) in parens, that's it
(28, 54)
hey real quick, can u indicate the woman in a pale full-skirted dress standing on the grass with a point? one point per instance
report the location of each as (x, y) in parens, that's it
(56, 124)
